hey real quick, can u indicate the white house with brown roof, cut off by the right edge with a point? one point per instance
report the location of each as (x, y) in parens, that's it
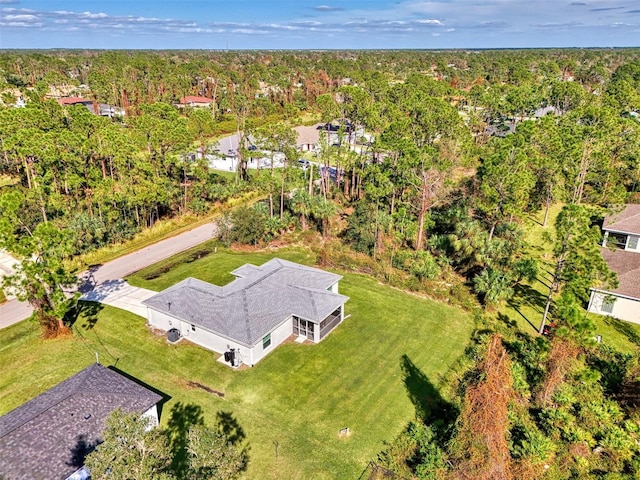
(622, 230)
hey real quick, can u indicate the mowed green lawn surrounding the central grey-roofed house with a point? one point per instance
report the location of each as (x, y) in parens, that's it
(296, 399)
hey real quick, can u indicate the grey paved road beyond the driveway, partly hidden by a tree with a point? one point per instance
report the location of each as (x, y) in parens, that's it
(14, 311)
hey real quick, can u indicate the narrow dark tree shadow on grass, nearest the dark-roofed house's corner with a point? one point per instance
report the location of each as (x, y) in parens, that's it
(183, 417)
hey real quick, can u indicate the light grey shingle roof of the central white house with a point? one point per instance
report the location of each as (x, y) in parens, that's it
(256, 302)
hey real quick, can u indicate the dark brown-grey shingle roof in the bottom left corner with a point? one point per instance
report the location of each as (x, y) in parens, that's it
(48, 437)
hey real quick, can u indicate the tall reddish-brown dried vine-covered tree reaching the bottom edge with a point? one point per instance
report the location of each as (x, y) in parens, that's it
(482, 451)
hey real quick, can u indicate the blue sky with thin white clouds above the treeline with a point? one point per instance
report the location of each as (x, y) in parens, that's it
(321, 24)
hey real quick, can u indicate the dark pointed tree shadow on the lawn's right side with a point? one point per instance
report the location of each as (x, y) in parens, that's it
(425, 397)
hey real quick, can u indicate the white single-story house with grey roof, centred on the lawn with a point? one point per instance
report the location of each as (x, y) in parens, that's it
(250, 316)
